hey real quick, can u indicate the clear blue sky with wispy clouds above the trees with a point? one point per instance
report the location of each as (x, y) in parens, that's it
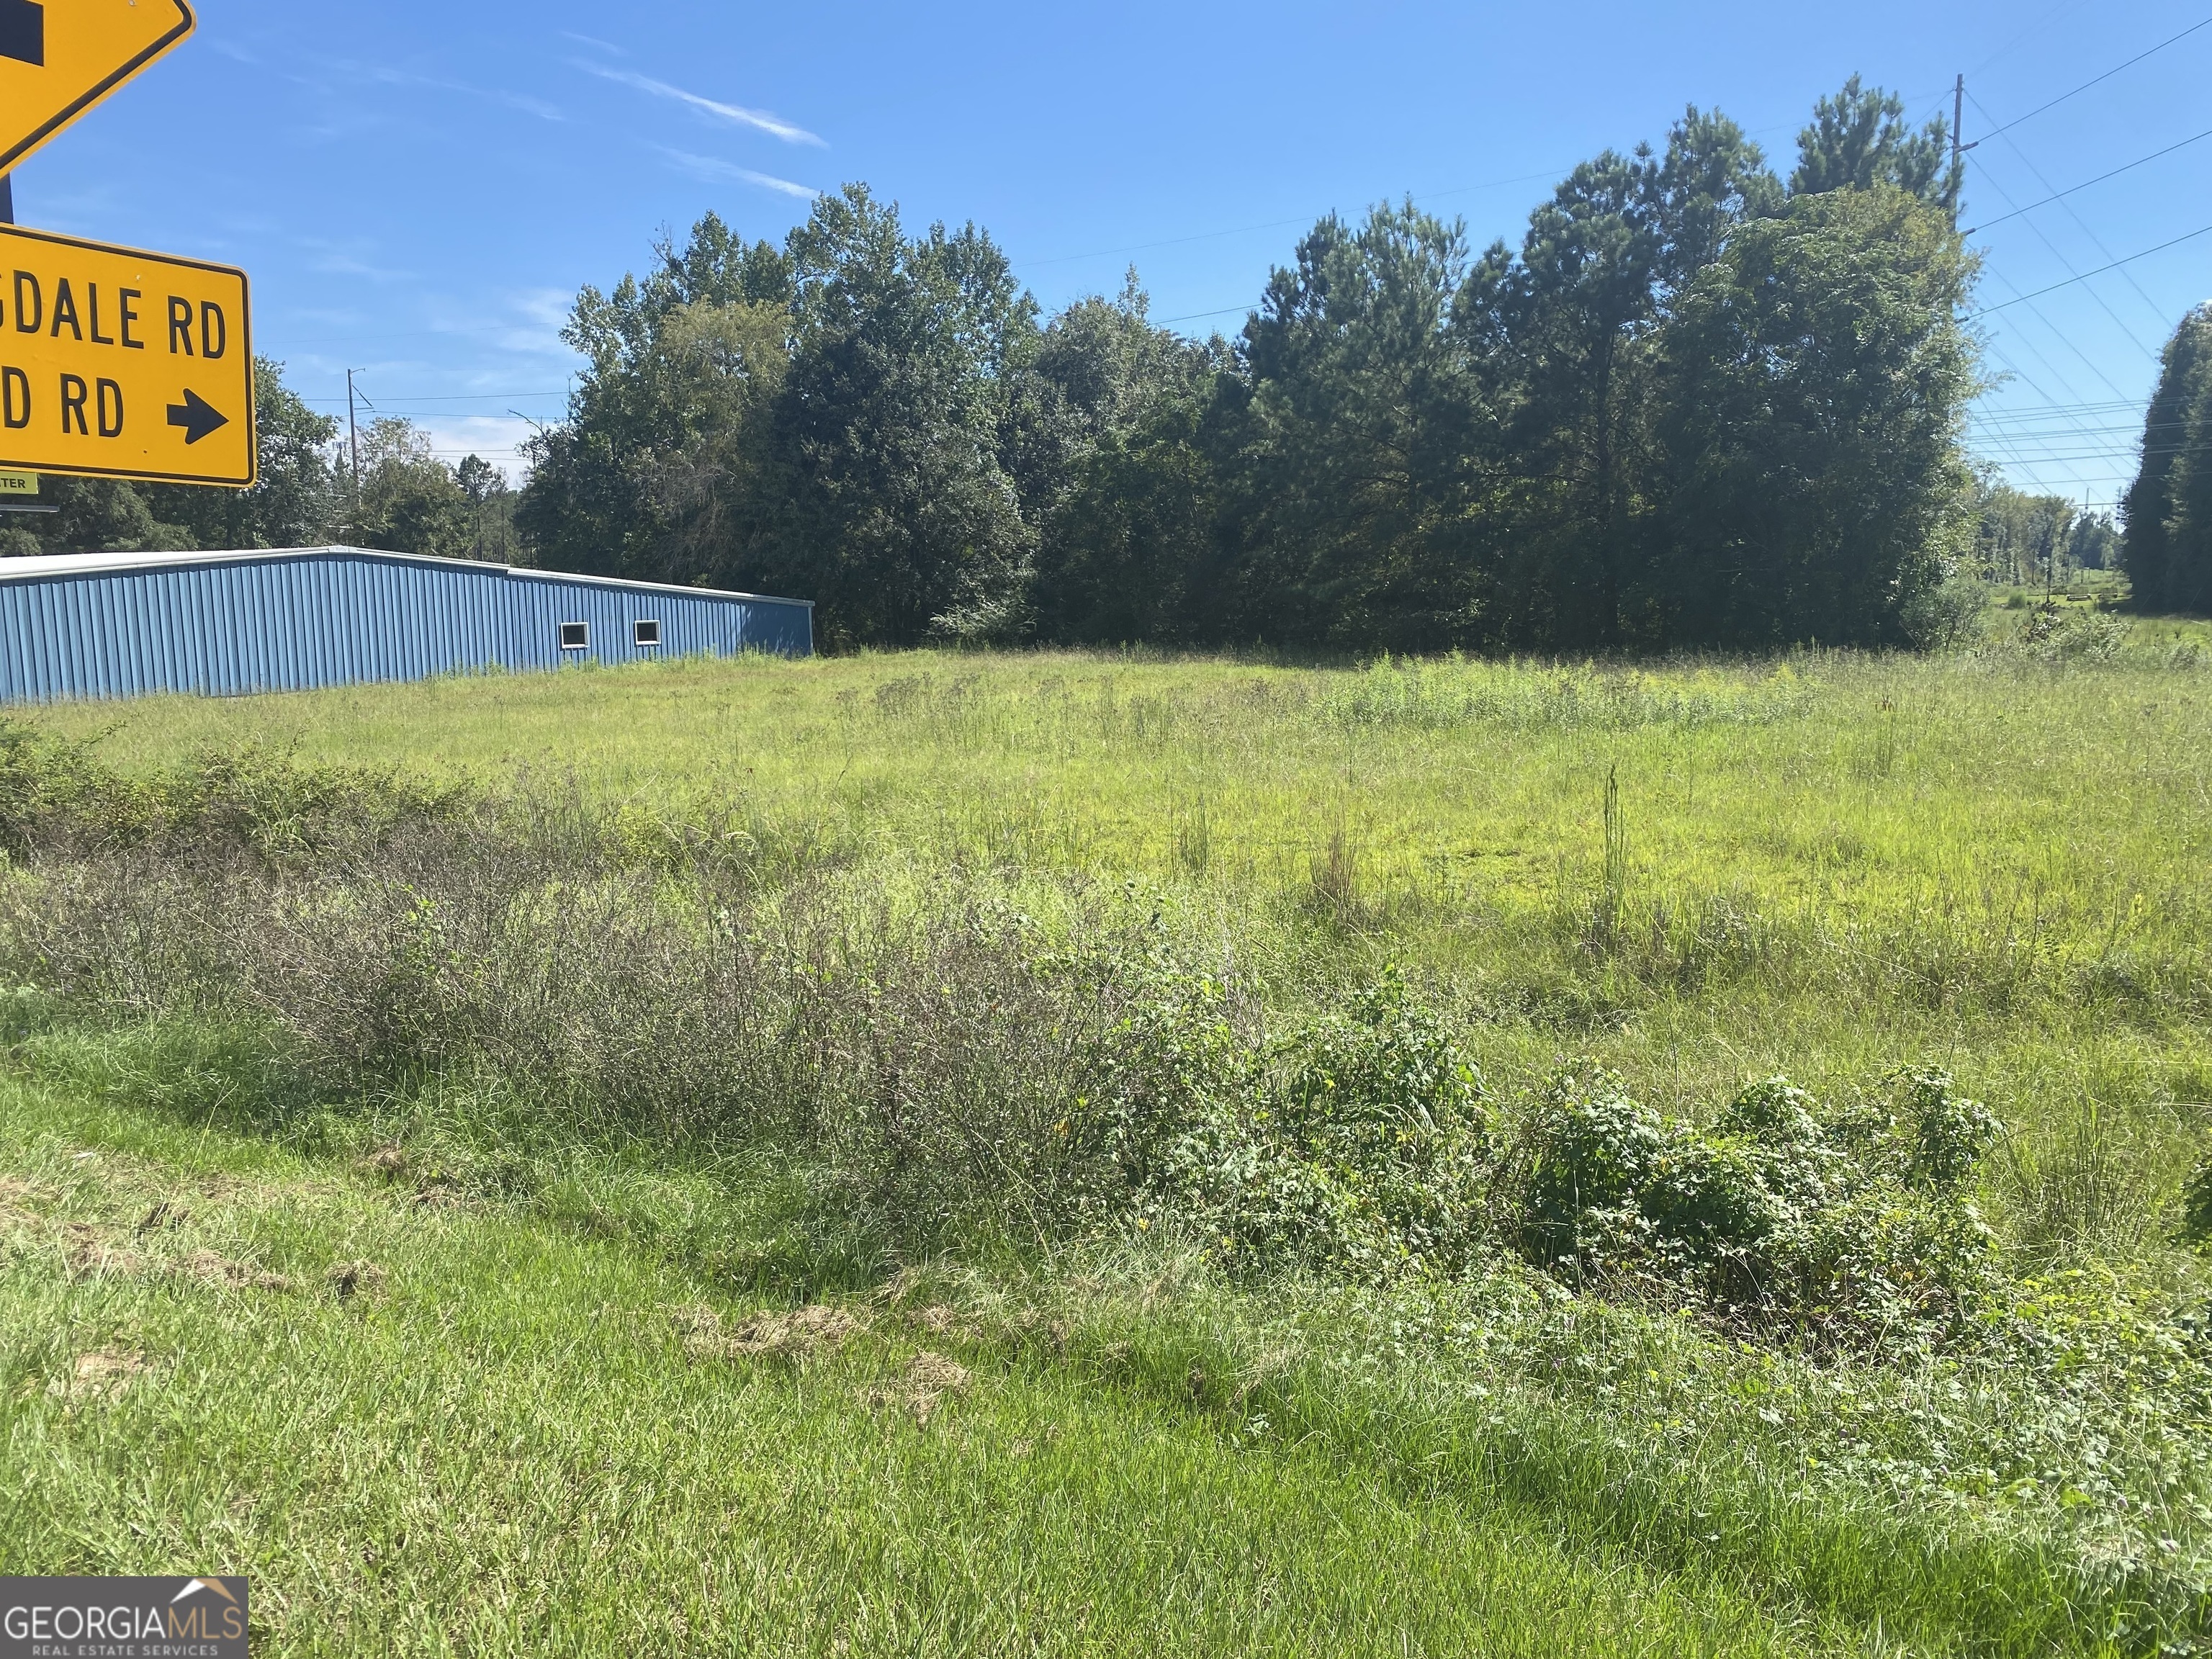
(419, 189)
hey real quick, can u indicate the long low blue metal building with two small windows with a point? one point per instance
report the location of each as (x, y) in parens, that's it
(123, 625)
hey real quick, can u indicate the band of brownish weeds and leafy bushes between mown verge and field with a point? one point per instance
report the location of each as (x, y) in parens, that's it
(963, 1072)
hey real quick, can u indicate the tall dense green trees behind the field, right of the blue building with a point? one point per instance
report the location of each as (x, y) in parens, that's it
(1700, 404)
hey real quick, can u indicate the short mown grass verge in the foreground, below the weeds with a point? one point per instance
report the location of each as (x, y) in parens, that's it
(508, 1448)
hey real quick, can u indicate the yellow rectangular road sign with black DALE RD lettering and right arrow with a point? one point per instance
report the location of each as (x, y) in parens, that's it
(123, 366)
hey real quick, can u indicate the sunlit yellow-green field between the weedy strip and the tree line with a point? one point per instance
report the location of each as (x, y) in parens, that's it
(1830, 866)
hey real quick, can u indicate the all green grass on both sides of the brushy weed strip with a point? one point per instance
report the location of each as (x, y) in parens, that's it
(1695, 875)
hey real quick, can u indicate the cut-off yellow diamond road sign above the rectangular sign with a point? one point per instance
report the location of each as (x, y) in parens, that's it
(63, 56)
